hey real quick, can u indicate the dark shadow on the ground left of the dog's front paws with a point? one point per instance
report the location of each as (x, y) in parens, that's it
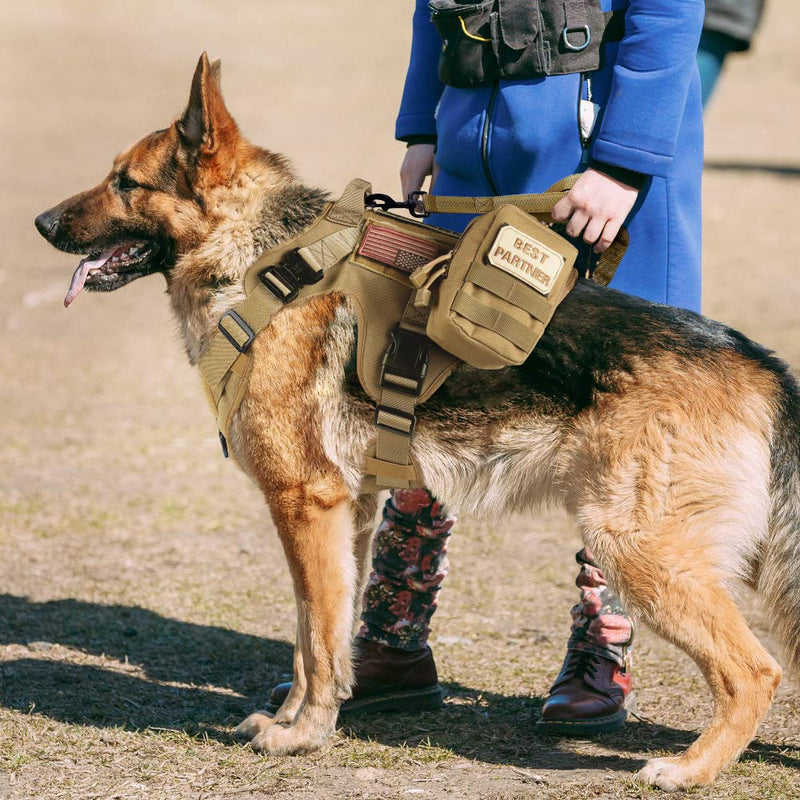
(174, 674)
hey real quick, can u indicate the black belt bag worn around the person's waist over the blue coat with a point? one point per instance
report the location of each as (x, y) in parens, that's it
(515, 39)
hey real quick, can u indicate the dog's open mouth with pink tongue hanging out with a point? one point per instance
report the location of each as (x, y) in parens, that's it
(112, 268)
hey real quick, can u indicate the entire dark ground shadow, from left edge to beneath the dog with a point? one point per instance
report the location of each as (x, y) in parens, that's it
(203, 679)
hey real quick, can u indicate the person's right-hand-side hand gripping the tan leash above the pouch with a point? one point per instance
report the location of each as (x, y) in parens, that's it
(595, 208)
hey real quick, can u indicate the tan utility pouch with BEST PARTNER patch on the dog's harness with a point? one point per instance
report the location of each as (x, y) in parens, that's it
(504, 280)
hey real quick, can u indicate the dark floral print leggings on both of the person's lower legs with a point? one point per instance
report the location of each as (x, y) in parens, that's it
(410, 562)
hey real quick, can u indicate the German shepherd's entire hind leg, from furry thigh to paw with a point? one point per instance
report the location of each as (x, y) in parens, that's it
(673, 499)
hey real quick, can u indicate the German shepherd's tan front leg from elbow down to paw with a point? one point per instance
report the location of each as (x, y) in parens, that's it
(316, 529)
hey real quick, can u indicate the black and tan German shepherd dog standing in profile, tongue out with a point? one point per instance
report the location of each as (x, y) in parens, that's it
(672, 440)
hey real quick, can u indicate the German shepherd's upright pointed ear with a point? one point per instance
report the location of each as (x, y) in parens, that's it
(206, 124)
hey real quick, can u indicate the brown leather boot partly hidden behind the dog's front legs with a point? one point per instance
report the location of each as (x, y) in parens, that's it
(387, 679)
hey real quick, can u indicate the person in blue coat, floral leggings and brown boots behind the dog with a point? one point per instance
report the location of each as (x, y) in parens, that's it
(641, 164)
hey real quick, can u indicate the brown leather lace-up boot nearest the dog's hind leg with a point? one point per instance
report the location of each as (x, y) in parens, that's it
(591, 695)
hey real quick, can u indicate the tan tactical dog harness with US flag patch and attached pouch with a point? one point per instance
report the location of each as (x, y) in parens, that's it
(489, 311)
